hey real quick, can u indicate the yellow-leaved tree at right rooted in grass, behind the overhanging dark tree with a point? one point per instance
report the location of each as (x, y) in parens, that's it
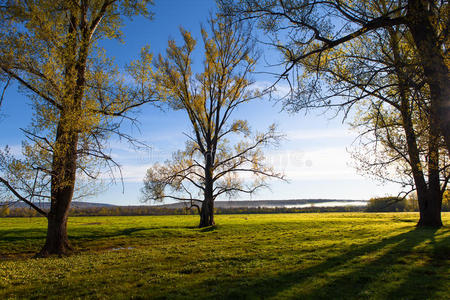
(399, 140)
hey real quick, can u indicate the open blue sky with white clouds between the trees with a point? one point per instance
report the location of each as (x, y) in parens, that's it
(313, 156)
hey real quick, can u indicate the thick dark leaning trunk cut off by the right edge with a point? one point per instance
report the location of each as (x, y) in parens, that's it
(433, 63)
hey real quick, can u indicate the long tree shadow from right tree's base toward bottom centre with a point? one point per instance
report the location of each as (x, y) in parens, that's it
(358, 279)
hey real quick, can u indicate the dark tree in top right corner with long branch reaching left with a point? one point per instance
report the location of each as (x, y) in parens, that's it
(302, 28)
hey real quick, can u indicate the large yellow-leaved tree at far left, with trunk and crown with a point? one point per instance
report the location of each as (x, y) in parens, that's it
(50, 49)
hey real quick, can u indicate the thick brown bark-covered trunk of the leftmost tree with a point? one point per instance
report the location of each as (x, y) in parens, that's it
(64, 165)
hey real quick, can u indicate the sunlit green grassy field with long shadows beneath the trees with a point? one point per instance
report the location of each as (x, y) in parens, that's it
(306, 256)
